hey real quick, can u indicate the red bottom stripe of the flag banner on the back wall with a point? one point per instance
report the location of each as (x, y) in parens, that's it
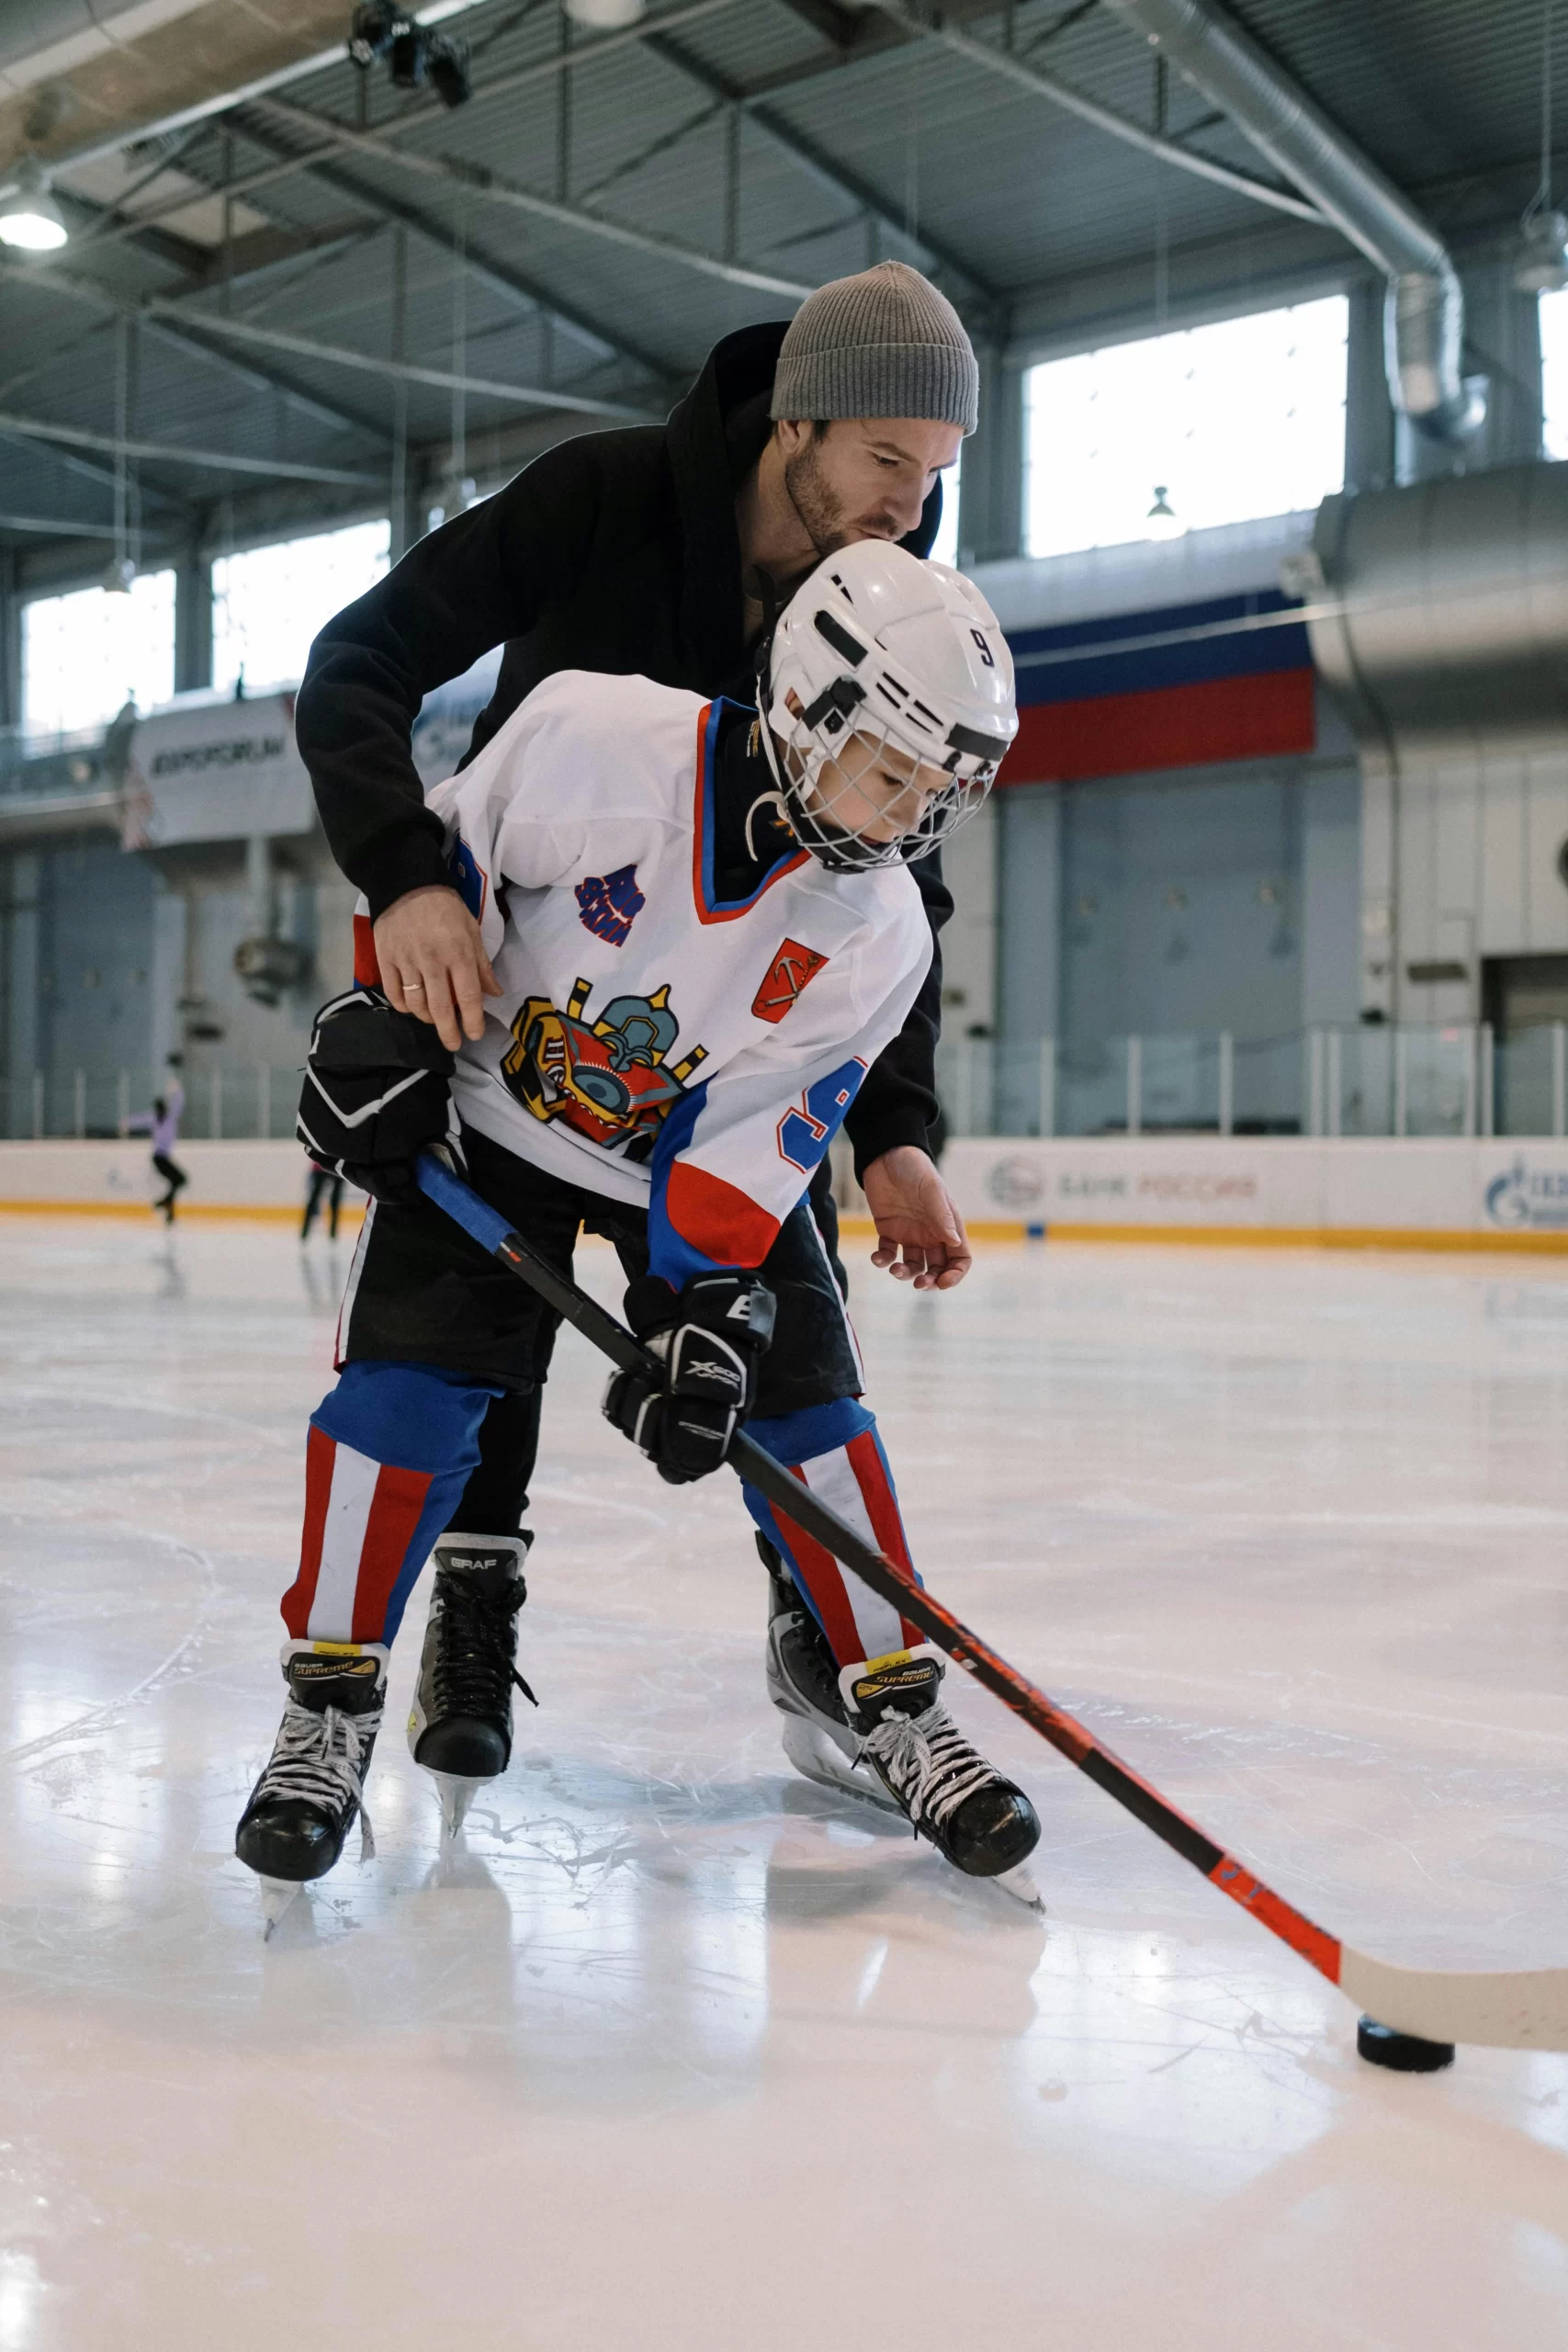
(1120, 735)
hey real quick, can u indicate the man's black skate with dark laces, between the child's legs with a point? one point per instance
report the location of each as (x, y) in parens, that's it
(462, 1718)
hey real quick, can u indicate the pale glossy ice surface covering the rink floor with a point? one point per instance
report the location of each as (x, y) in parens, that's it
(674, 2050)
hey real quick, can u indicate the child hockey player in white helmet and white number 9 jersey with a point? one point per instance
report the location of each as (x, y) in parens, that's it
(704, 930)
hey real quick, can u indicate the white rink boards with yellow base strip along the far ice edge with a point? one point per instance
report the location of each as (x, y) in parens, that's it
(1414, 1194)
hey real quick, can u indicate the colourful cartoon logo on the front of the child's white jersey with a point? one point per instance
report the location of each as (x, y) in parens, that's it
(608, 1078)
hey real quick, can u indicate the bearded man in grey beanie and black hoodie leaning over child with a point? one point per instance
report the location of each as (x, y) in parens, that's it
(659, 552)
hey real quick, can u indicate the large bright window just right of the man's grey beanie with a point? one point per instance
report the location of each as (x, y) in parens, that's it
(1184, 432)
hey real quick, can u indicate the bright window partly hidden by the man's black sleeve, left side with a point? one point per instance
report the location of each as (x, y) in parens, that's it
(269, 603)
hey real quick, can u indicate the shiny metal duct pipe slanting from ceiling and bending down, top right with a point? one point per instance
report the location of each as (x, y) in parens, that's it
(1426, 307)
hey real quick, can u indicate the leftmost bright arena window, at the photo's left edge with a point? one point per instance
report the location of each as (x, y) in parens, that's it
(88, 653)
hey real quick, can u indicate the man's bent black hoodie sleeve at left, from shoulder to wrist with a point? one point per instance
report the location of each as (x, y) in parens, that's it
(471, 584)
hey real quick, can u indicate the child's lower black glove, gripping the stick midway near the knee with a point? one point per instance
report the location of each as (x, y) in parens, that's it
(709, 1344)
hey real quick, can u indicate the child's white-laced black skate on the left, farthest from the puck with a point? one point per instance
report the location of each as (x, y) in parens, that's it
(304, 1803)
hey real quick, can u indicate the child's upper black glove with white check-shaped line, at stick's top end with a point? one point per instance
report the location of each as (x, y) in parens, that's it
(375, 1095)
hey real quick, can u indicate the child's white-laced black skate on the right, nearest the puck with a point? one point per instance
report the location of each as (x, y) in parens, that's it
(937, 1777)
